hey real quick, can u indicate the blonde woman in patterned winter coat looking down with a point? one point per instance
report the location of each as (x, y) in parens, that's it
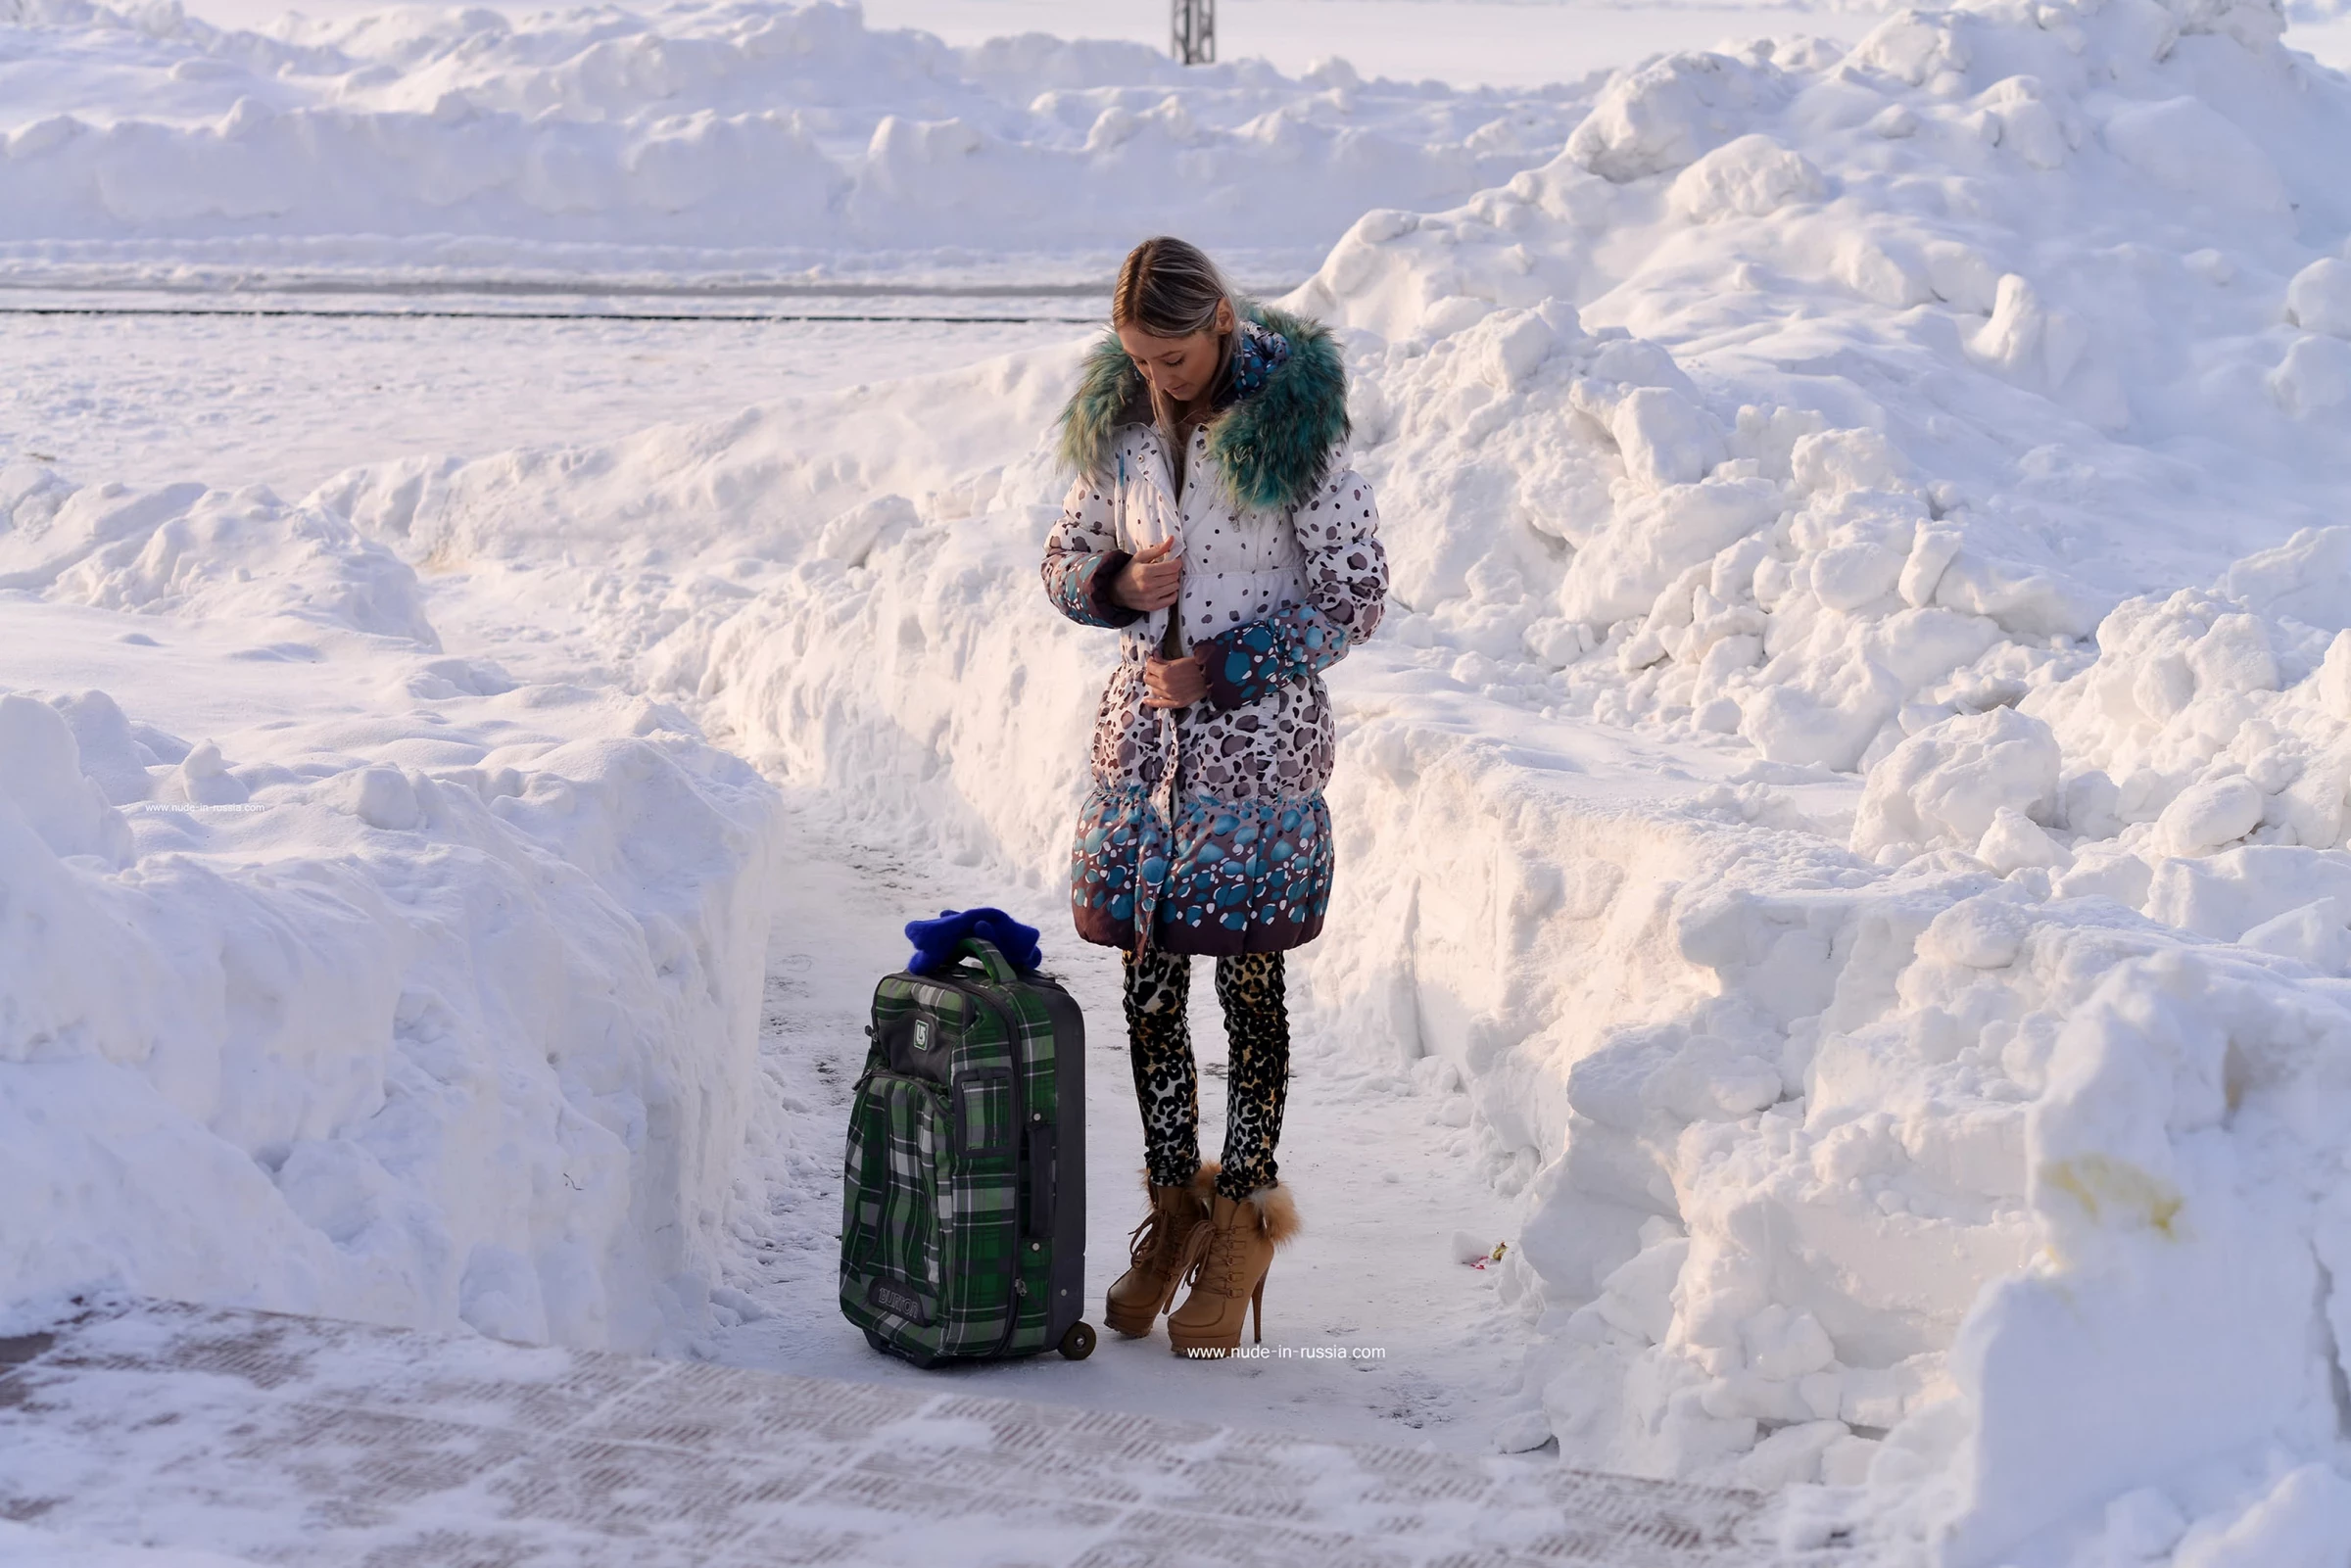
(1219, 530)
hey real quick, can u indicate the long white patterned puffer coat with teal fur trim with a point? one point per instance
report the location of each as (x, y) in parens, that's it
(1205, 829)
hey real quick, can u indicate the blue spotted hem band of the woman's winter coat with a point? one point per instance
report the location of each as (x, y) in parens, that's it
(1224, 878)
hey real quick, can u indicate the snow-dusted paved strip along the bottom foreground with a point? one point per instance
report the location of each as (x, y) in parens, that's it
(166, 1438)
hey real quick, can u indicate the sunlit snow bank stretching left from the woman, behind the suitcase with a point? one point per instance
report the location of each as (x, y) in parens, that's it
(840, 587)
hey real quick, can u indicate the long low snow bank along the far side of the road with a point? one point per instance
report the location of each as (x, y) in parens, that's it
(779, 135)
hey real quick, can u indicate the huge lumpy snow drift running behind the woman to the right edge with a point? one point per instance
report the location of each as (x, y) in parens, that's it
(1915, 1010)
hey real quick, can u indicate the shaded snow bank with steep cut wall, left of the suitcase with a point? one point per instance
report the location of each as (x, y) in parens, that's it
(337, 977)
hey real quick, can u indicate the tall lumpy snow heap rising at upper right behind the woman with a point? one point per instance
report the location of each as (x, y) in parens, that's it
(1913, 384)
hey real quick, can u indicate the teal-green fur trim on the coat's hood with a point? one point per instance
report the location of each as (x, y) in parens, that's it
(1273, 445)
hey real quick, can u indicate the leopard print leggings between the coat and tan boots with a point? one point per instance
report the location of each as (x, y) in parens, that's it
(1167, 1083)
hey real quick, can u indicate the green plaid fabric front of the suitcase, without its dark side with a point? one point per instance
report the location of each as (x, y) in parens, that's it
(935, 1259)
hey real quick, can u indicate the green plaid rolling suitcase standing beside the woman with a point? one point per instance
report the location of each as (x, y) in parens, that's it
(965, 1188)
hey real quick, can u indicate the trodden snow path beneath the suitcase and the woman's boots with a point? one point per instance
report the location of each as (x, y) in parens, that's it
(1377, 1332)
